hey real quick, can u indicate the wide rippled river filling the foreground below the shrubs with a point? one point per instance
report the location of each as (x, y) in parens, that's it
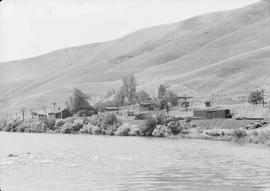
(56, 162)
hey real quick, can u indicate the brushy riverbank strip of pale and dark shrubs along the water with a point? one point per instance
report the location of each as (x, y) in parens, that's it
(157, 126)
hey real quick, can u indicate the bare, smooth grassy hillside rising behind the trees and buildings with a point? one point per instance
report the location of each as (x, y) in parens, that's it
(222, 52)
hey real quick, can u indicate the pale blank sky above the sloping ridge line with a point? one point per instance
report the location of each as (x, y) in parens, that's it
(33, 27)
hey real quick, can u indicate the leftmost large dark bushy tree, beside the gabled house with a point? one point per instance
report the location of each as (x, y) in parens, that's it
(79, 101)
